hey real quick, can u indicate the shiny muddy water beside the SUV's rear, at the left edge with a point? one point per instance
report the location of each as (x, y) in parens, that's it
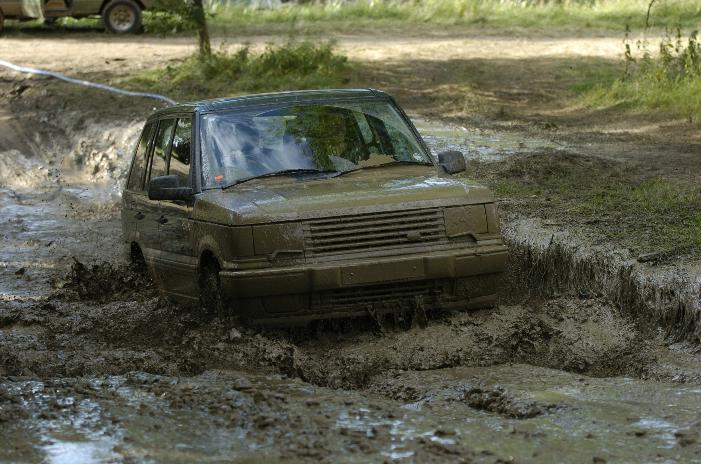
(44, 231)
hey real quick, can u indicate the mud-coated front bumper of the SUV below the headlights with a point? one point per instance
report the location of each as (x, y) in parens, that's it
(297, 291)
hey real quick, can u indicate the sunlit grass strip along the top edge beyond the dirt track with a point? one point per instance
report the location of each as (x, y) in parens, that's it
(558, 14)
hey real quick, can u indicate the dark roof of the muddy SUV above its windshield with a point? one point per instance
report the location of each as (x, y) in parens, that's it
(217, 104)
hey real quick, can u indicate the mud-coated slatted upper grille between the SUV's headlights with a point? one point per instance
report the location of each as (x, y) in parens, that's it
(360, 232)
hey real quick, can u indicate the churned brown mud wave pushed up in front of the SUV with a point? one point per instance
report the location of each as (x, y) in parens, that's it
(103, 309)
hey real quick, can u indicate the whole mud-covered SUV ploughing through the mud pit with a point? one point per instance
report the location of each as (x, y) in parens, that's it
(289, 207)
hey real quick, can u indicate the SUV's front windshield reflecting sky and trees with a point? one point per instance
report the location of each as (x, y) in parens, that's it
(338, 137)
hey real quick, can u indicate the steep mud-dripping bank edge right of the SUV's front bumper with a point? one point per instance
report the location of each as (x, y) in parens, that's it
(550, 262)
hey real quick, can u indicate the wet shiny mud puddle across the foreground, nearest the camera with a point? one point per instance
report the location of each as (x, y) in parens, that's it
(505, 413)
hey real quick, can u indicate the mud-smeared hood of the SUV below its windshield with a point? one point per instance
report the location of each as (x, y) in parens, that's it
(276, 199)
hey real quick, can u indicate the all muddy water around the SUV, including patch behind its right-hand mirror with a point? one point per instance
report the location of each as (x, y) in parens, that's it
(123, 377)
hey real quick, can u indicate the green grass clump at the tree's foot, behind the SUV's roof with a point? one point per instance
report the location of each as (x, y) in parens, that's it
(290, 66)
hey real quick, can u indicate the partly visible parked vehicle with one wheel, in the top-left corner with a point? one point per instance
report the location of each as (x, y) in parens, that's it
(119, 16)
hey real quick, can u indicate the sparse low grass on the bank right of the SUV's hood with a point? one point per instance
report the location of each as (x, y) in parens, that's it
(646, 213)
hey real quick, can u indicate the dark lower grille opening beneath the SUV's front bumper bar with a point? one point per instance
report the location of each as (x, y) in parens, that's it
(377, 294)
